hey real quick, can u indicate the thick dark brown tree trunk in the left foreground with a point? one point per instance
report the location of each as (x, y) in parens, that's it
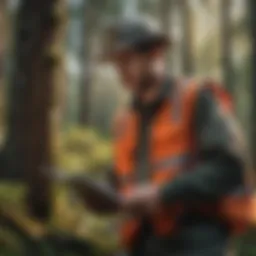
(28, 147)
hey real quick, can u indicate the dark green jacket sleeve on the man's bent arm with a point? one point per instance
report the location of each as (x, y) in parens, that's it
(220, 149)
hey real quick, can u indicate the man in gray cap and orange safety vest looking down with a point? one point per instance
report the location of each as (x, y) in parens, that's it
(178, 153)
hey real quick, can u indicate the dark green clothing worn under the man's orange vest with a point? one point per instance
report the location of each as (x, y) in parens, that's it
(220, 171)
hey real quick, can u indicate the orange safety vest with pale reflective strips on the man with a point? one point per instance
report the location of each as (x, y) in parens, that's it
(172, 151)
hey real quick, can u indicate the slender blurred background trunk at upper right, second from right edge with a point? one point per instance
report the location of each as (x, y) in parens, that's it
(226, 44)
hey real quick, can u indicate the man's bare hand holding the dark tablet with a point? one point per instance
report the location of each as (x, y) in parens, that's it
(143, 200)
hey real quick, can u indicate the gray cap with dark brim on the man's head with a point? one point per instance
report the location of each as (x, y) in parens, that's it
(136, 34)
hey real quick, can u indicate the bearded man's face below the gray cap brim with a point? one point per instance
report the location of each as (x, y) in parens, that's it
(134, 67)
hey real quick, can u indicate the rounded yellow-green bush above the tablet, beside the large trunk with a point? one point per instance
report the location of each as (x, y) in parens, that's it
(83, 150)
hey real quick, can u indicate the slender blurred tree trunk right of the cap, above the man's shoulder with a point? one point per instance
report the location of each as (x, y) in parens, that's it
(187, 41)
